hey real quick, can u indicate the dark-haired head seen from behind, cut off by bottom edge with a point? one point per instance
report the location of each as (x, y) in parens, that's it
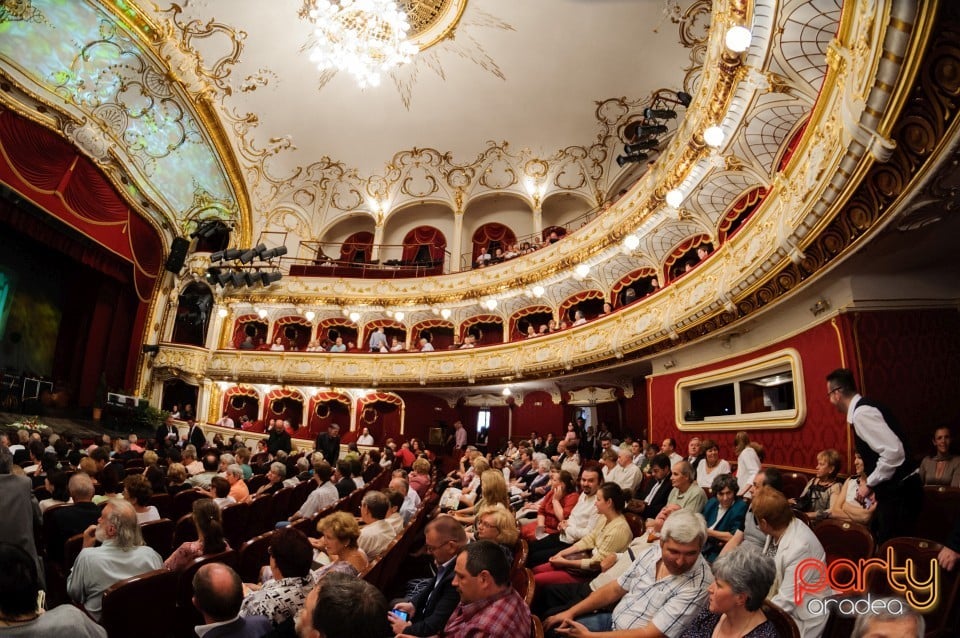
(344, 606)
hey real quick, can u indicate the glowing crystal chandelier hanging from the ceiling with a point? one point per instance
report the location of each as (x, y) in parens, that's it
(363, 37)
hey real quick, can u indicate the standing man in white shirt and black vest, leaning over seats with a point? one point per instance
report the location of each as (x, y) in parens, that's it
(892, 475)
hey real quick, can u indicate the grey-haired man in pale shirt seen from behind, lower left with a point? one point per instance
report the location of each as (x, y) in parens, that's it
(121, 555)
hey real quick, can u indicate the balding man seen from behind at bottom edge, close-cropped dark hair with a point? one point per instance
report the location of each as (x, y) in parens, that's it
(217, 595)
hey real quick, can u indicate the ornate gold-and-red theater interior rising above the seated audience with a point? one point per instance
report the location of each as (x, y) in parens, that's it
(592, 209)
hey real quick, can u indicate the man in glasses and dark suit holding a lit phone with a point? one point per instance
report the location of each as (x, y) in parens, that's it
(431, 606)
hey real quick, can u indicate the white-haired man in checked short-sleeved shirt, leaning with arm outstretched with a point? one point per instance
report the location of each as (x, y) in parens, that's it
(662, 592)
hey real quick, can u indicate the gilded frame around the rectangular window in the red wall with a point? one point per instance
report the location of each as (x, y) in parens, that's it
(738, 372)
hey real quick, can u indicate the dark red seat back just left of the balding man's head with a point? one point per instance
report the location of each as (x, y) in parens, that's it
(143, 606)
